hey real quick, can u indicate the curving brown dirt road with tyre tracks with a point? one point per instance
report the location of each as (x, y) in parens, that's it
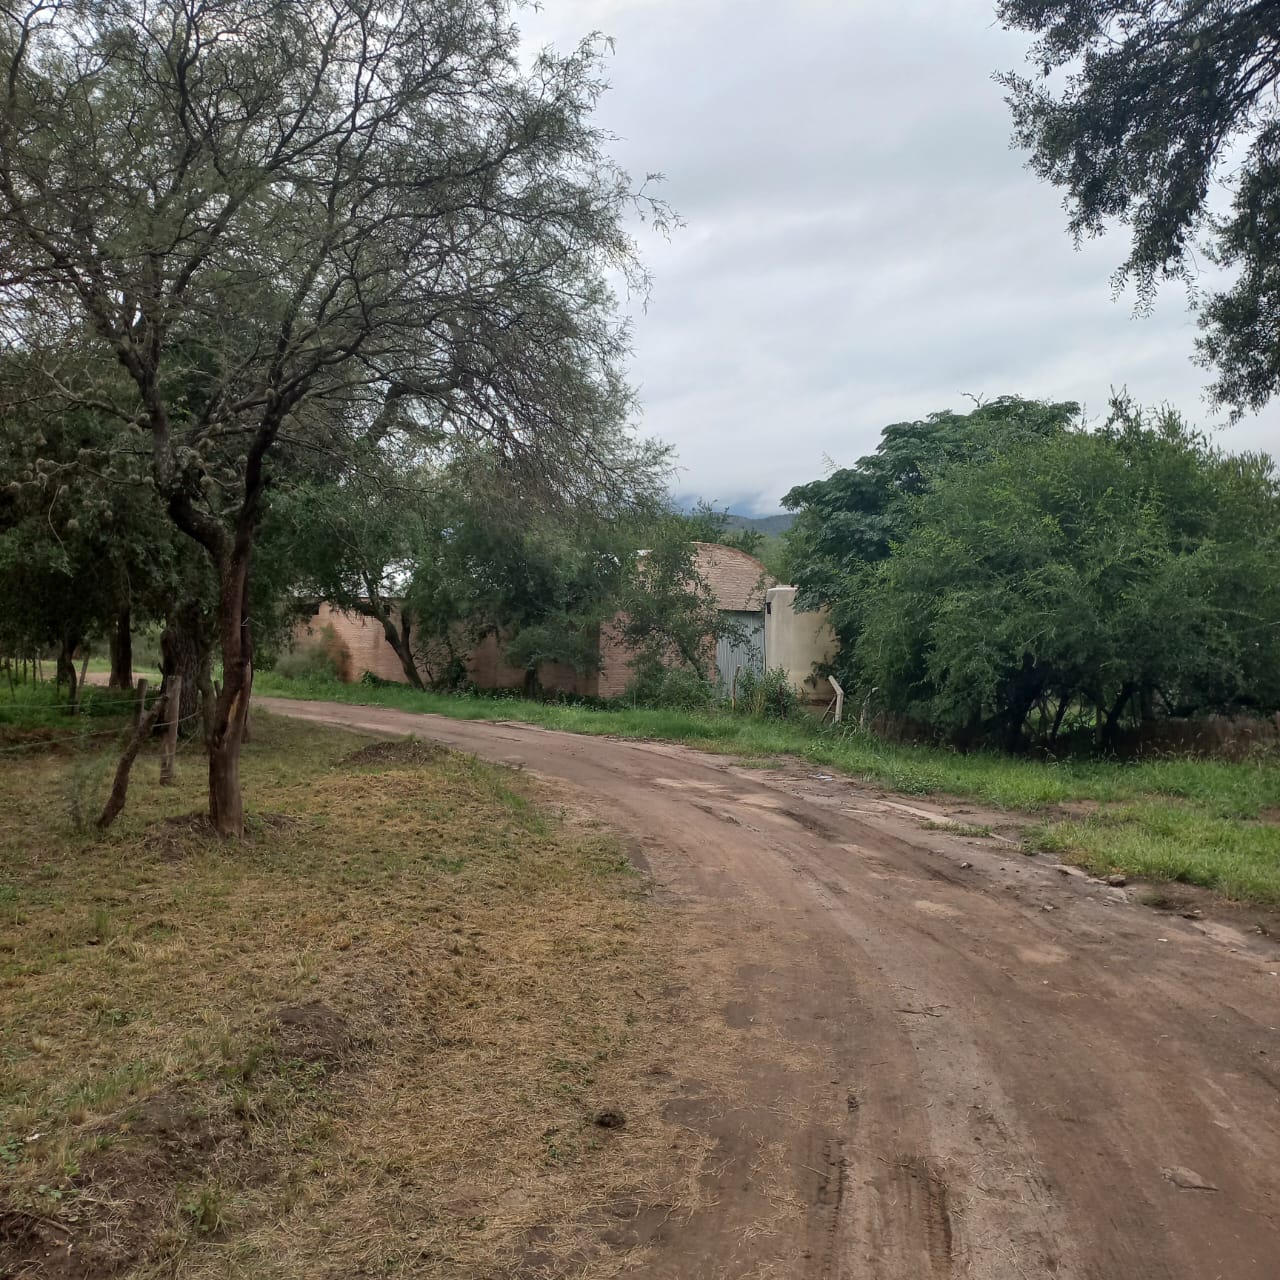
(948, 1060)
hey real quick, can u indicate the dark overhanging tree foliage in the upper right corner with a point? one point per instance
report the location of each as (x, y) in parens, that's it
(1141, 112)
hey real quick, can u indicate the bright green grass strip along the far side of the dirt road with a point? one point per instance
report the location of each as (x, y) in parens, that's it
(1206, 822)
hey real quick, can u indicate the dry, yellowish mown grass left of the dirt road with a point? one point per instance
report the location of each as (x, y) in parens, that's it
(380, 1032)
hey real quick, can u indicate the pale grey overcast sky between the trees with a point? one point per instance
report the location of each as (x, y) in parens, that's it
(862, 246)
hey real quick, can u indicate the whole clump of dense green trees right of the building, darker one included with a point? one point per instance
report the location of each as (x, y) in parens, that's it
(1020, 578)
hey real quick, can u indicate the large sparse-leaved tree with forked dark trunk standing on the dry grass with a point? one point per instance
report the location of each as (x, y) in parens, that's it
(301, 225)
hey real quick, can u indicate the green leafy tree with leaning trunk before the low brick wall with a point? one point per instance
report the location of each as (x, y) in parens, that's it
(444, 555)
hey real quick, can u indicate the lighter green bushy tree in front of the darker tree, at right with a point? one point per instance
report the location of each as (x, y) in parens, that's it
(1099, 577)
